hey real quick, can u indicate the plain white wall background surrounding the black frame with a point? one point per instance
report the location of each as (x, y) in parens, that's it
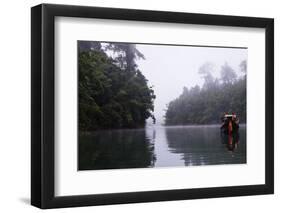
(15, 105)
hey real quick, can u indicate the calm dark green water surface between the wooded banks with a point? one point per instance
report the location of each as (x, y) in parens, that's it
(161, 146)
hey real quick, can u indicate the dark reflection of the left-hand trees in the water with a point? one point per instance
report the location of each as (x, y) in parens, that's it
(115, 149)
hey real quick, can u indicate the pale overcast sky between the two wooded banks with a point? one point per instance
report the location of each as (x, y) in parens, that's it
(170, 68)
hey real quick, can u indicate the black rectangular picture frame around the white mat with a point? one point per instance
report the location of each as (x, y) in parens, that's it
(43, 102)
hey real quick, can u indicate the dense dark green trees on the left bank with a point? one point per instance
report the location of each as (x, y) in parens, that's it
(112, 94)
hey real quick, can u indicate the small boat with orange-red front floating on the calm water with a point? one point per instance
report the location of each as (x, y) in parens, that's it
(230, 123)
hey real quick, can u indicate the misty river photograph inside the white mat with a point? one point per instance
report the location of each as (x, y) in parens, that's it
(151, 105)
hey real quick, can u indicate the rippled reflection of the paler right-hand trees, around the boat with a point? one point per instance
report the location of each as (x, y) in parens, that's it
(201, 145)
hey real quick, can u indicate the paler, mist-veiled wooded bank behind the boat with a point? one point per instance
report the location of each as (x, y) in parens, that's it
(207, 104)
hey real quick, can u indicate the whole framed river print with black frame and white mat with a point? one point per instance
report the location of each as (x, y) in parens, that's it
(139, 106)
